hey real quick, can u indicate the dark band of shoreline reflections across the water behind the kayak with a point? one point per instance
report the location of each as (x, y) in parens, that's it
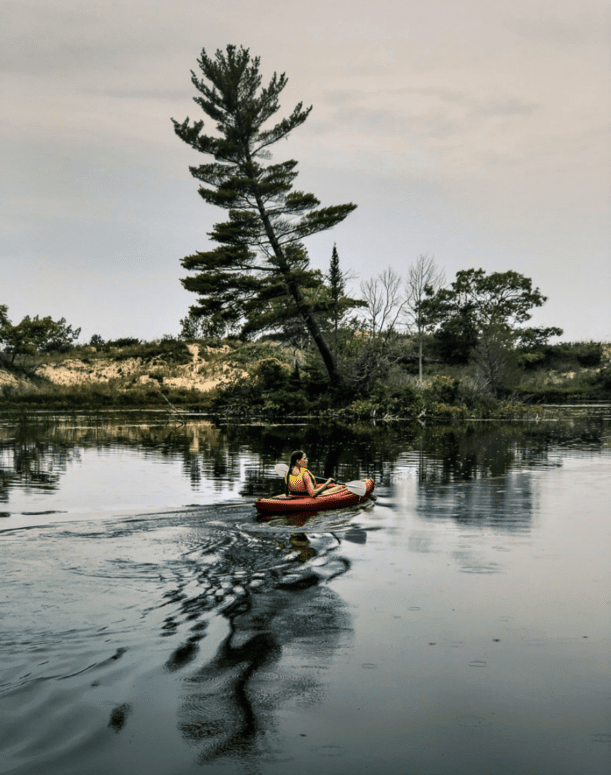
(38, 451)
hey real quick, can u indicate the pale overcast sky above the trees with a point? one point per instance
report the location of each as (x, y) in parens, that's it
(473, 130)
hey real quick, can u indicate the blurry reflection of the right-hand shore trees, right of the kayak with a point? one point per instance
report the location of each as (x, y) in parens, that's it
(477, 476)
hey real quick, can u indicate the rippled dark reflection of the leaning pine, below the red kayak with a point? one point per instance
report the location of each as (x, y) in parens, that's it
(284, 626)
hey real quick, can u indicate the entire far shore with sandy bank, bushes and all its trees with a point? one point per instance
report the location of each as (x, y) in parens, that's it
(269, 335)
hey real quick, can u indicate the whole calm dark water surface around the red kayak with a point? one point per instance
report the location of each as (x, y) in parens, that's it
(151, 623)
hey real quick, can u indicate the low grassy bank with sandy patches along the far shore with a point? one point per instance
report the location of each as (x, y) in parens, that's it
(272, 380)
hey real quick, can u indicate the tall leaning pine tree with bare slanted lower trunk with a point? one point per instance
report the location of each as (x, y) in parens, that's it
(260, 242)
